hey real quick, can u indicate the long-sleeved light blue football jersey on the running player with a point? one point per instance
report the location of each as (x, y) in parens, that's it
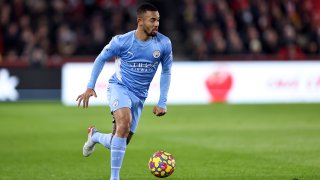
(136, 63)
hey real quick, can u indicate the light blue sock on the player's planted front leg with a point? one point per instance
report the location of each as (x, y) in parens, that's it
(118, 149)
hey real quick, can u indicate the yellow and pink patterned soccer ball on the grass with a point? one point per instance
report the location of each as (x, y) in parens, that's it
(162, 164)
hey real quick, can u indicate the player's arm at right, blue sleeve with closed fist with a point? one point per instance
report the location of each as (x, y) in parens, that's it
(165, 80)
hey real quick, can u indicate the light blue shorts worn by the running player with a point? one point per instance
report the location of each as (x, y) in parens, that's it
(119, 97)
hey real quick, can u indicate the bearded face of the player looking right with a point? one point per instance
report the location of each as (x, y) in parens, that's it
(150, 22)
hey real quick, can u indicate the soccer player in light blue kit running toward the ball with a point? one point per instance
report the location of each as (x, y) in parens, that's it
(138, 54)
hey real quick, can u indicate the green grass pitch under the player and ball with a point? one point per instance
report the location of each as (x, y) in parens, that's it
(43, 140)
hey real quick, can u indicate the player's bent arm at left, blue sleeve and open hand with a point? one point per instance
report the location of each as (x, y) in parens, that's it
(105, 55)
